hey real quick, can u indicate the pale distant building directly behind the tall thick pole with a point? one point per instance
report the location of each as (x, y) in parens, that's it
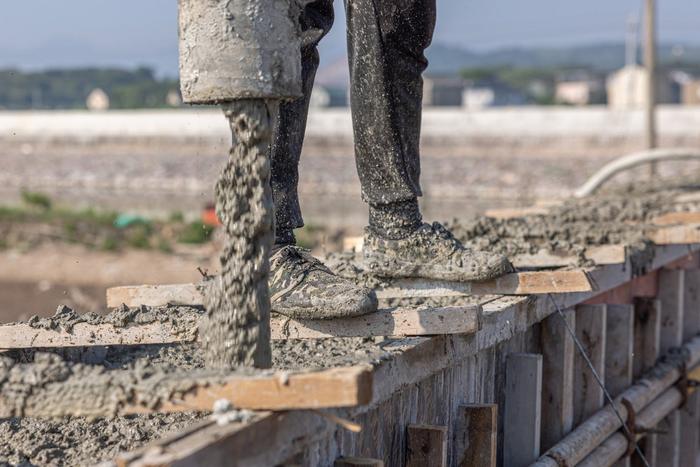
(627, 88)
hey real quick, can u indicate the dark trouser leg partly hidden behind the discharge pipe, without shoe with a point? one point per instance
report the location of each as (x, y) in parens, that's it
(316, 20)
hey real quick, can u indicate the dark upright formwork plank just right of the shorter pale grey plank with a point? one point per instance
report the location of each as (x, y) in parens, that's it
(558, 372)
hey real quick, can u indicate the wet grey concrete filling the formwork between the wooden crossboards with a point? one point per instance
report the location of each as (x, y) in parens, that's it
(79, 440)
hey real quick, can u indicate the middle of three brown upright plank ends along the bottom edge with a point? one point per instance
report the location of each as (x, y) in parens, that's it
(427, 446)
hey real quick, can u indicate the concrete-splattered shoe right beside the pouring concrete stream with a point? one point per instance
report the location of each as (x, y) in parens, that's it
(302, 287)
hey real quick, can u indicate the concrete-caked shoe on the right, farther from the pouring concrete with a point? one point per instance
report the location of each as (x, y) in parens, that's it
(430, 252)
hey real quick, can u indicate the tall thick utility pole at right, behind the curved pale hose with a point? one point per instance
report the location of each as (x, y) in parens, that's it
(650, 66)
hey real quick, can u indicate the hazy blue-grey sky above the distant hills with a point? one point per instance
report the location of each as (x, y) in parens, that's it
(40, 34)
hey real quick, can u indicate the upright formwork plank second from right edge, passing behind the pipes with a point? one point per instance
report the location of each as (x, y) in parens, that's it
(671, 295)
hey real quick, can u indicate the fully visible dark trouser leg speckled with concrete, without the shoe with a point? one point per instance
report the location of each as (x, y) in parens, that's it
(386, 43)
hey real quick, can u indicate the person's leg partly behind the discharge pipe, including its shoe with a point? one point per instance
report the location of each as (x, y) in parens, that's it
(300, 285)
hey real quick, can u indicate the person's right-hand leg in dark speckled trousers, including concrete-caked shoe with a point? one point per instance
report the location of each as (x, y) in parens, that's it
(386, 43)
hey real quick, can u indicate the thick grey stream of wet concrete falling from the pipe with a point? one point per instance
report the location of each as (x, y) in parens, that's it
(236, 330)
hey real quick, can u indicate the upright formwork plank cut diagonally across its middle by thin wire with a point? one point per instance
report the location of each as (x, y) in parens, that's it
(591, 332)
